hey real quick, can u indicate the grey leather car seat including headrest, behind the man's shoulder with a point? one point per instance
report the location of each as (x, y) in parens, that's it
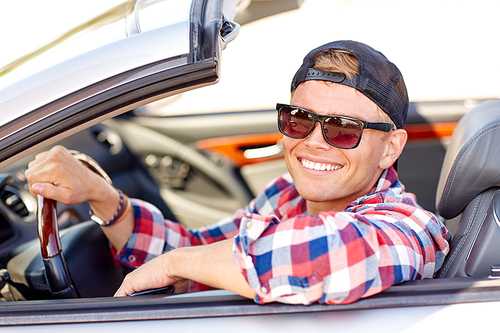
(469, 185)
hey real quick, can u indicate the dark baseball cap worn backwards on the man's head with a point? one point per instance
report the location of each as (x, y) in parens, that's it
(377, 78)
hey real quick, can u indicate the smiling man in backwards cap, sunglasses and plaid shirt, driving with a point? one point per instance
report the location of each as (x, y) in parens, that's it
(338, 228)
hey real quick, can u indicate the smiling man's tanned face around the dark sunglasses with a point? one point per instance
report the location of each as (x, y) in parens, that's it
(352, 172)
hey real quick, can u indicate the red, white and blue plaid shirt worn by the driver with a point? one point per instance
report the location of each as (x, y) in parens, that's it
(381, 239)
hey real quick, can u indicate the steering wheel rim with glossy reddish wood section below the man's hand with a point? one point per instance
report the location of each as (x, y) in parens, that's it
(56, 269)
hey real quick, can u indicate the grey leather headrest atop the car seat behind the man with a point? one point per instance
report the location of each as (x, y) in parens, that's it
(472, 161)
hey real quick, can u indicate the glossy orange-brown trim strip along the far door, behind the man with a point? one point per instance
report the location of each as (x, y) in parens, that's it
(234, 146)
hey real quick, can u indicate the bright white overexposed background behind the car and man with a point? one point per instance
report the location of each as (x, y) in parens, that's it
(446, 49)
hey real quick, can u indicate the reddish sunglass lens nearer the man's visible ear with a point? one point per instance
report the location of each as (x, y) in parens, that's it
(343, 133)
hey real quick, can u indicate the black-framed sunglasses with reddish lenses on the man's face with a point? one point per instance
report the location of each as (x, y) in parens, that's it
(338, 131)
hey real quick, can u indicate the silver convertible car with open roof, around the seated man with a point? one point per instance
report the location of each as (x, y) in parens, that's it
(112, 87)
